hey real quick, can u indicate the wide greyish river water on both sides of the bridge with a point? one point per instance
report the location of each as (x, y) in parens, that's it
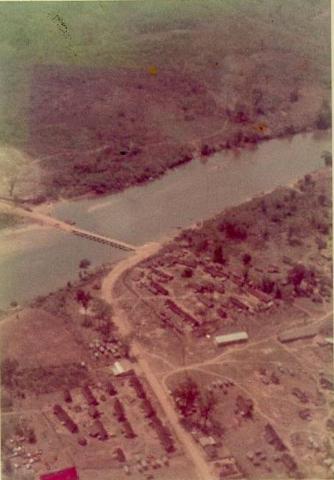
(37, 261)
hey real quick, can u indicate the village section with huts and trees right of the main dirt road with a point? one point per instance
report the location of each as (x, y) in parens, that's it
(206, 307)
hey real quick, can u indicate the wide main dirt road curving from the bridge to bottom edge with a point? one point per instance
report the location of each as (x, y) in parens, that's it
(192, 450)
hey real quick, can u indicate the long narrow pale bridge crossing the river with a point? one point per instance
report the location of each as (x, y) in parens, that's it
(46, 220)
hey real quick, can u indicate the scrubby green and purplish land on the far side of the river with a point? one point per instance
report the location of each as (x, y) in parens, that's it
(199, 67)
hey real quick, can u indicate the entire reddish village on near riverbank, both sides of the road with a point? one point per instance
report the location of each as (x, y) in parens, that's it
(202, 308)
